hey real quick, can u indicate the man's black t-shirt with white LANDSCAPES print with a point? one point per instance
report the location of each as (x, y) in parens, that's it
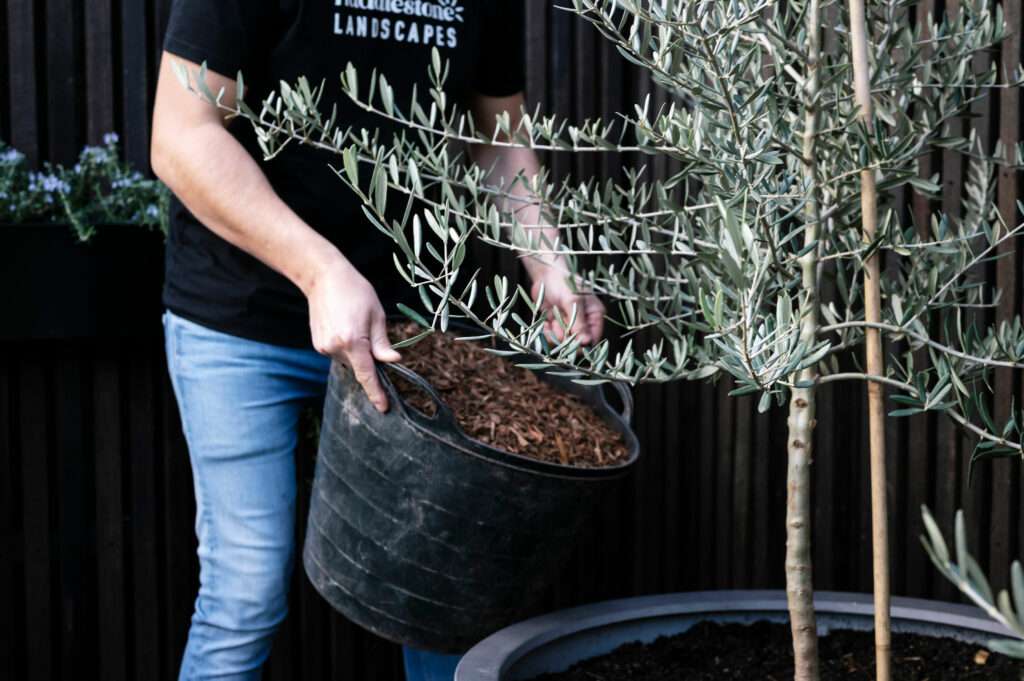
(218, 285)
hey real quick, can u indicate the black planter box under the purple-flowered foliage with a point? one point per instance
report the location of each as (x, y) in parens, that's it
(56, 287)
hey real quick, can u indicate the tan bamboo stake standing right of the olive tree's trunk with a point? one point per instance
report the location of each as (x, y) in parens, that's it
(876, 362)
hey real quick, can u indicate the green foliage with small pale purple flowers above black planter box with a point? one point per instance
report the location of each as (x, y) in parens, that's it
(101, 189)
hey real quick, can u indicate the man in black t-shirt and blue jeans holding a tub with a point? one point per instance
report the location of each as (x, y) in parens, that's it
(273, 271)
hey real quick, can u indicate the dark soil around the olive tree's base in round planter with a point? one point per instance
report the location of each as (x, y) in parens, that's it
(763, 653)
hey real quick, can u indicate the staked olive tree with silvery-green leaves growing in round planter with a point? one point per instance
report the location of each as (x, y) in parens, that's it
(795, 127)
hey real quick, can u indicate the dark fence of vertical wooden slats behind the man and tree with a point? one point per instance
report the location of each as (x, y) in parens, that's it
(98, 571)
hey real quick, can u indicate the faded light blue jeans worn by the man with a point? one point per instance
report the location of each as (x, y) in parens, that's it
(240, 403)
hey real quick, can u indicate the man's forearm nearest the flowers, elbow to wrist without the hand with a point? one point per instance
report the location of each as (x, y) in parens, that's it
(227, 191)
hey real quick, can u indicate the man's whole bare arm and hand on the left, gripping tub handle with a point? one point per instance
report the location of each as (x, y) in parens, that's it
(224, 187)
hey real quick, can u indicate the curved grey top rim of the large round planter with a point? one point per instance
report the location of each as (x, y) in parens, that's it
(494, 656)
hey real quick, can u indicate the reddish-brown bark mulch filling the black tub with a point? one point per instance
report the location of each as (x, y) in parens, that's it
(504, 406)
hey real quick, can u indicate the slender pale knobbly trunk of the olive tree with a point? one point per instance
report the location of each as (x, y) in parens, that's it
(799, 572)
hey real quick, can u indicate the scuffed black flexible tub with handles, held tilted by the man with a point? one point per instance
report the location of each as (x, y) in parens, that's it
(429, 538)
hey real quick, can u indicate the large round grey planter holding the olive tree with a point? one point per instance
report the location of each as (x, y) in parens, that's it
(554, 643)
